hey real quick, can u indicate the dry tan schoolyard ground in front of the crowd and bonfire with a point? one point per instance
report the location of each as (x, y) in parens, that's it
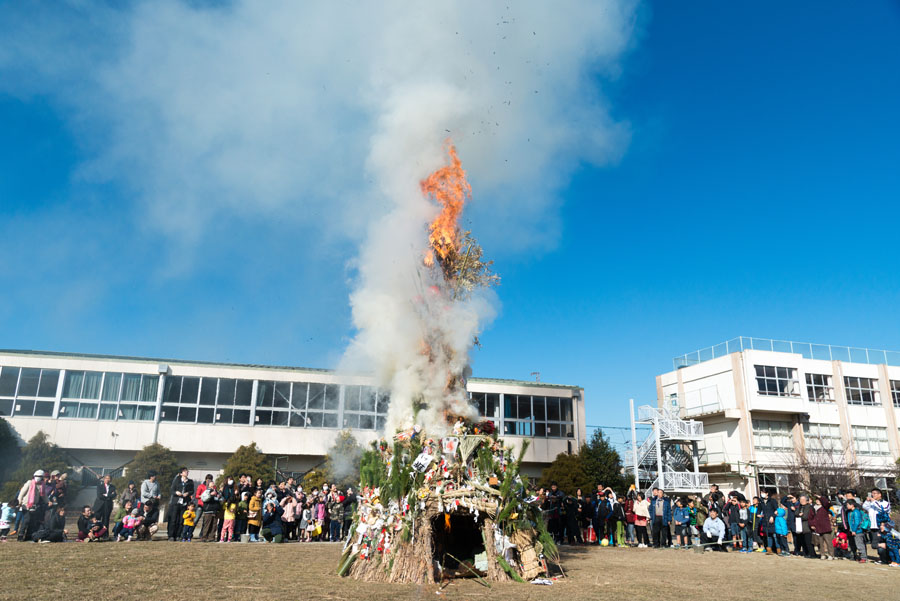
(212, 571)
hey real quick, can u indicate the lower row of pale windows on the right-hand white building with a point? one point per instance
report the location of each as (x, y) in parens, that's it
(771, 435)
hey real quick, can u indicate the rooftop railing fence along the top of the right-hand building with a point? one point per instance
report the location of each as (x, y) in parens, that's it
(825, 352)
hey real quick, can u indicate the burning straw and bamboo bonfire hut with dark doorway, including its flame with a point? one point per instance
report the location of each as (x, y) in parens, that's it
(445, 498)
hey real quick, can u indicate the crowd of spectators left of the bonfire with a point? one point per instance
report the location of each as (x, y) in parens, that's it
(205, 512)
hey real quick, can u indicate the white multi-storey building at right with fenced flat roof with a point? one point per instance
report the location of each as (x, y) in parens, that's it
(771, 408)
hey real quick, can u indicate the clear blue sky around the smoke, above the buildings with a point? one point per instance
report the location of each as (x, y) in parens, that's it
(757, 195)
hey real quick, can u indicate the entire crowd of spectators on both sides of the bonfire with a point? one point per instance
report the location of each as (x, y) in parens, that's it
(247, 509)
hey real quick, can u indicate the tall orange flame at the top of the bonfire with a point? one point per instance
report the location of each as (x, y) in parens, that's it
(448, 186)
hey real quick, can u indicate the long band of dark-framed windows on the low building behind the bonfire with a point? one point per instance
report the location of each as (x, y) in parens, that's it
(194, 399)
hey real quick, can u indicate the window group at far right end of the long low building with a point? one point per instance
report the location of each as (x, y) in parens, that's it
(538, 416)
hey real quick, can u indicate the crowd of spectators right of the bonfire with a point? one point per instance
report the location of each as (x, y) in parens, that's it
(805, 525)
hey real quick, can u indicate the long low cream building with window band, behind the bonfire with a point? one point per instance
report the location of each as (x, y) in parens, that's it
(102, 409)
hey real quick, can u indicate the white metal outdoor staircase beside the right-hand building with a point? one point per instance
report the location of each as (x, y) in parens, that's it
(668, 458)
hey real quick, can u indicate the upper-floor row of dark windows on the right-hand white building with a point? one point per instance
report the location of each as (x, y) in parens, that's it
(783, 382)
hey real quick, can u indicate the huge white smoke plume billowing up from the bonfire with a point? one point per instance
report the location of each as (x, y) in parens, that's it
(328, 114)
